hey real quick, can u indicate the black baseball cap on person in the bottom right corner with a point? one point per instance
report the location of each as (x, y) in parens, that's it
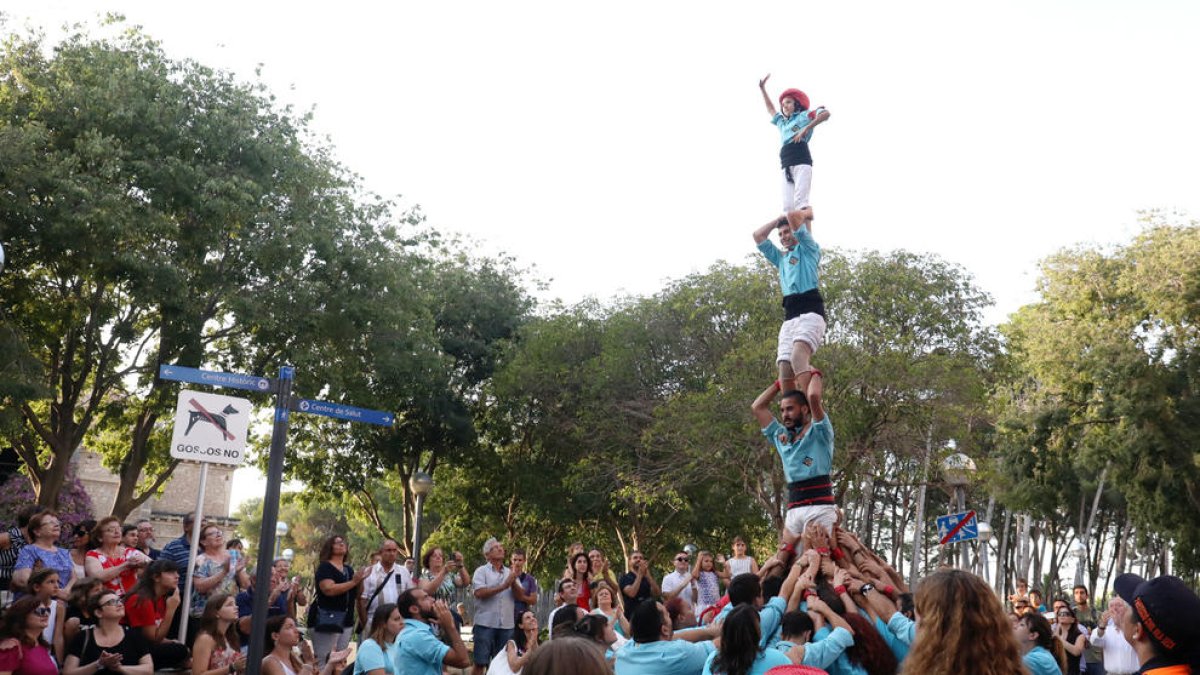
(1168, 610)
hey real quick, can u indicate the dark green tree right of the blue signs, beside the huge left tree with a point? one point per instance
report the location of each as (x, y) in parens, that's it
(429, 366)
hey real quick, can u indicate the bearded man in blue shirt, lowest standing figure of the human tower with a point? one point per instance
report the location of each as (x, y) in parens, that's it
(805, 443)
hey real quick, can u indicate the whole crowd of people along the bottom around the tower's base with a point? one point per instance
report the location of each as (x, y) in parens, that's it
(826, 605)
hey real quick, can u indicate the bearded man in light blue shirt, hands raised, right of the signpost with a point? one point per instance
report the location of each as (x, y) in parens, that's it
(418, 652)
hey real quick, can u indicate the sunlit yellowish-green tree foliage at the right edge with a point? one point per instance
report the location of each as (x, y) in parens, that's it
(1105, 374)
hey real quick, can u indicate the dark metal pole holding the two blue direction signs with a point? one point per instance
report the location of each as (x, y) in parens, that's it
(271, 515)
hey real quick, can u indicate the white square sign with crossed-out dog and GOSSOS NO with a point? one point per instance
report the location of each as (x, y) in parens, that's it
(211, 428)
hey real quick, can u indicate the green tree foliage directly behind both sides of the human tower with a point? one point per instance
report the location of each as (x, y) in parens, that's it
(629, 426)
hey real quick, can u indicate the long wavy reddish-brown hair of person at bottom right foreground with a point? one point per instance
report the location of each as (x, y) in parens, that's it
(962, 629)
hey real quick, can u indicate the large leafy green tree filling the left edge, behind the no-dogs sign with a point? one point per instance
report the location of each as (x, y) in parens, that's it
(160, 212)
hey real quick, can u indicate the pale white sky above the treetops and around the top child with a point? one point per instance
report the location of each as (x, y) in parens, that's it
(615, 147)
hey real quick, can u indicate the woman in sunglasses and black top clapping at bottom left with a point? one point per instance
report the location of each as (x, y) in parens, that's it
(109, 646)
